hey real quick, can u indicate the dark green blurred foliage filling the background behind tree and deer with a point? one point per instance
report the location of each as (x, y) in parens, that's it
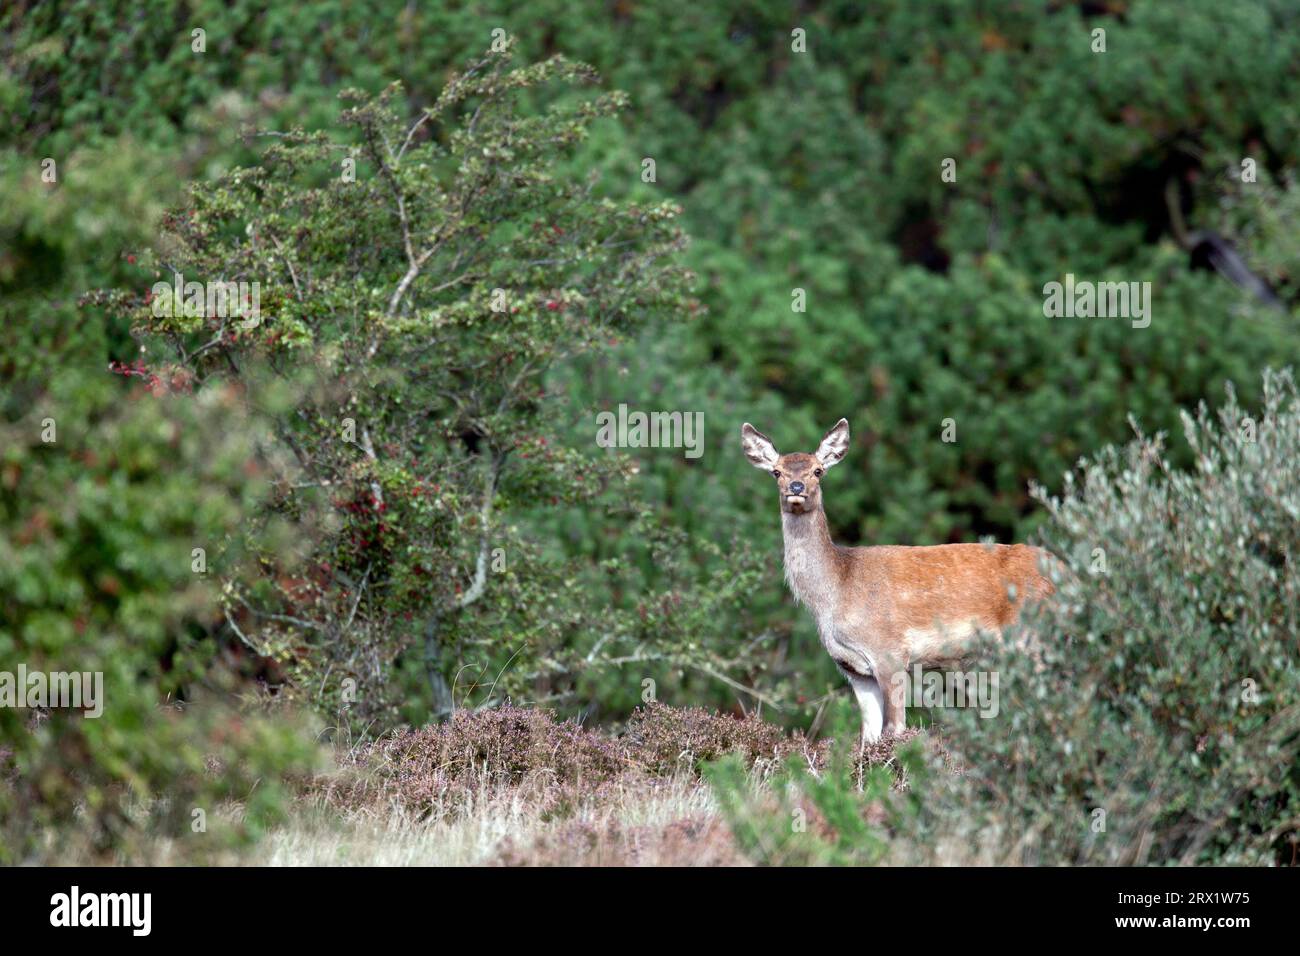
(816, 171)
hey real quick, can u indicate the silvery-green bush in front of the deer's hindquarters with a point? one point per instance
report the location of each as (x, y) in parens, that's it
(1160, 720)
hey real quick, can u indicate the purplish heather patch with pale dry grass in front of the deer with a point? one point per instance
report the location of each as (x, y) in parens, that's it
(575, 795)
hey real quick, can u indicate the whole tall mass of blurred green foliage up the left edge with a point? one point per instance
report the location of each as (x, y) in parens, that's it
(106, 492)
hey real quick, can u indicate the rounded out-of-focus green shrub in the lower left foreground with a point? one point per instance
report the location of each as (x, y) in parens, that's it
(106, 495)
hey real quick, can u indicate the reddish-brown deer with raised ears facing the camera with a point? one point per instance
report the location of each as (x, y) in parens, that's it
(883, 609)
